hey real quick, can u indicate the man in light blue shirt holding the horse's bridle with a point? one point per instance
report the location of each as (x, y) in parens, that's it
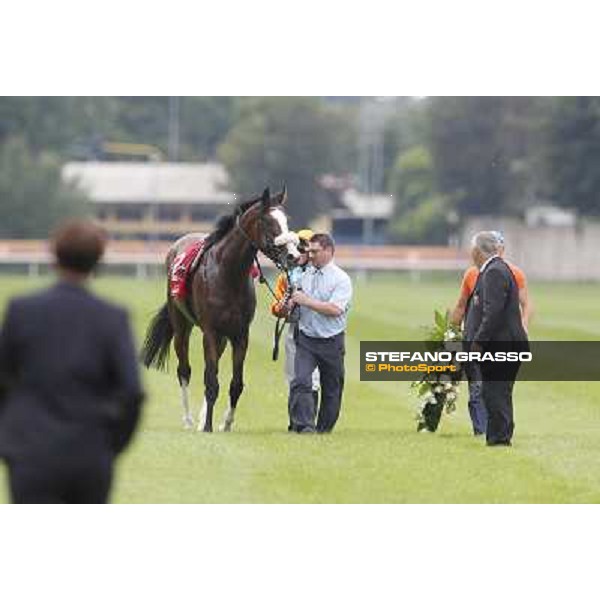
(323, 296)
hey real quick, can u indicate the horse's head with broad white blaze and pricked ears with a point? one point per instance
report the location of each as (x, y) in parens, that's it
(266, 226)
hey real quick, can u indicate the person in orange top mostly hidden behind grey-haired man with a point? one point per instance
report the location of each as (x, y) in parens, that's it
(476, 408)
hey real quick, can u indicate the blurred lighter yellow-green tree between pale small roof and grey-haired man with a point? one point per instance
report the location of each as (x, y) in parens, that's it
(421, 213)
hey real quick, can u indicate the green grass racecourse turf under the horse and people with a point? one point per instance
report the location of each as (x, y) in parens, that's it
(374, 455)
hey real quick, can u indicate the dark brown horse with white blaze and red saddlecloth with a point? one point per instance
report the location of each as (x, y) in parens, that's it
(222, 300)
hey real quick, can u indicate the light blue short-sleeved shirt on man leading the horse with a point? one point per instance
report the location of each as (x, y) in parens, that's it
(328, 284)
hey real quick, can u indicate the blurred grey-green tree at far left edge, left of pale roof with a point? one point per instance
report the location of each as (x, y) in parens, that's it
(33, 197)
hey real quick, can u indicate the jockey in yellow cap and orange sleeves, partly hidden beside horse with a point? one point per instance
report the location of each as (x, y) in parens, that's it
(279, 309)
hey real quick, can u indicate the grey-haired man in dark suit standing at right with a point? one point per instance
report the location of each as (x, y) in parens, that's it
(493, 323)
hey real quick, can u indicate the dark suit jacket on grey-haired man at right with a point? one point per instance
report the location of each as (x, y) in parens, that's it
(494, 314)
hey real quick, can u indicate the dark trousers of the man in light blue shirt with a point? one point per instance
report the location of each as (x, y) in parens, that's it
(328, 355)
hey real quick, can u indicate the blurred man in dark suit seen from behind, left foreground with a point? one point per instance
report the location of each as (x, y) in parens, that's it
(70, 391)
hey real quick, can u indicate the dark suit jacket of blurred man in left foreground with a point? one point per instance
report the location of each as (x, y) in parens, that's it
(69, 379)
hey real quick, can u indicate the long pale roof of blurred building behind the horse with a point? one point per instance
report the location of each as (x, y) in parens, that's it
(143, 182)
